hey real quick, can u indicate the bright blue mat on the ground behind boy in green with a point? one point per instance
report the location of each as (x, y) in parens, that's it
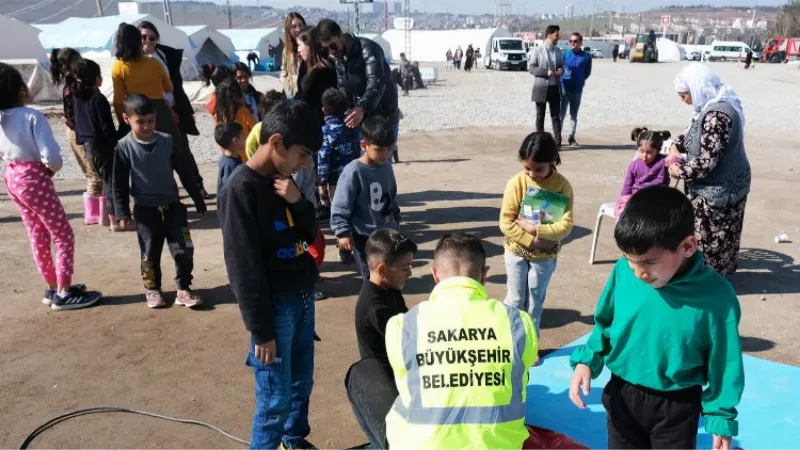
(769, 413)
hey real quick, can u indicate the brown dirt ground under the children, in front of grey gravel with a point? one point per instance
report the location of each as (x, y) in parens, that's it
(190, 364)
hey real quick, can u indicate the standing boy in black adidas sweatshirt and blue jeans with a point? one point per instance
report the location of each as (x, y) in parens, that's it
(267, 226)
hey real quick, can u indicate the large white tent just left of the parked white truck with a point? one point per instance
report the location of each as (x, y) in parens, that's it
(431, 45)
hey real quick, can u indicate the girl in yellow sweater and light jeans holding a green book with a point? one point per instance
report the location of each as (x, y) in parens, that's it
(531, 249)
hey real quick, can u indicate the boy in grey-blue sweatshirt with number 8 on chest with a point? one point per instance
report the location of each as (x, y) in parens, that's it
(366, 196)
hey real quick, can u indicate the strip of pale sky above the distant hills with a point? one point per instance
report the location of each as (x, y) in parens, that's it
(518, 6)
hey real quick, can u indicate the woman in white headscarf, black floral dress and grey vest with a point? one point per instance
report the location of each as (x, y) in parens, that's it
(714, 164)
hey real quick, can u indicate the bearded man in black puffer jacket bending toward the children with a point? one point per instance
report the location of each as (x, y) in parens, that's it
(363, 74)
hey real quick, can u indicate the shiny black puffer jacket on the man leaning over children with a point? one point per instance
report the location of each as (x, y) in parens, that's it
(365, 76)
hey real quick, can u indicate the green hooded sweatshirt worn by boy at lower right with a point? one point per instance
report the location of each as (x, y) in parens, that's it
(681, 335)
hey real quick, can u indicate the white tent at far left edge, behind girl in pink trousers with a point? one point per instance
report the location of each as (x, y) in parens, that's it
(27, 55)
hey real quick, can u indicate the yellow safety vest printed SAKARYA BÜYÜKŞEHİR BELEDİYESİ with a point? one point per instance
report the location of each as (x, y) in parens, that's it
(461, 364)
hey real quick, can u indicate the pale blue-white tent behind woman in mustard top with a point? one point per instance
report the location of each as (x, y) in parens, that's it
(96, 34)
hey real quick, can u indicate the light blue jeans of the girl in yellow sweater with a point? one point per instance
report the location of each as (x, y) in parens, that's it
(527, 282)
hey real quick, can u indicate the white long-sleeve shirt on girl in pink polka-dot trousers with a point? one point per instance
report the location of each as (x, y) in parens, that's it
(25, 136)
